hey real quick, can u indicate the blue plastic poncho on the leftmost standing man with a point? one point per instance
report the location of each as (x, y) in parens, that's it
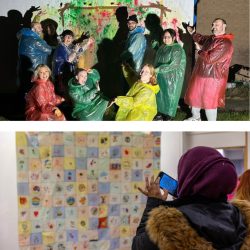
(33, 47)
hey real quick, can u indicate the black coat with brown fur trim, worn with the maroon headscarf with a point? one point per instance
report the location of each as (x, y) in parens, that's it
(176, 228)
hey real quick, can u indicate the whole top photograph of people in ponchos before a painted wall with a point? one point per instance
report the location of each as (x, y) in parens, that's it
(128, 60)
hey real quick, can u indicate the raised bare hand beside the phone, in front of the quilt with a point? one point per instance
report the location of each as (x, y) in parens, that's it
(153, 189)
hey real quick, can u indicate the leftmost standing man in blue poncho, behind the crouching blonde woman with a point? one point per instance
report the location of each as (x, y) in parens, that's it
(32, 51)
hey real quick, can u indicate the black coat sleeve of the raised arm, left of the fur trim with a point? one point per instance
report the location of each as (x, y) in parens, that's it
(141, 241)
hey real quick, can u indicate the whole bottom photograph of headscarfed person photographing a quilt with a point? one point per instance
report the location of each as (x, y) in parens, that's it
(124, 190)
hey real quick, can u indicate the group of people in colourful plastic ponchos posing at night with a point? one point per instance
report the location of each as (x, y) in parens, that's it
(150, 92)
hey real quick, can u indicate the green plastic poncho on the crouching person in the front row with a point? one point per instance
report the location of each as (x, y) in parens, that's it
(89, 103)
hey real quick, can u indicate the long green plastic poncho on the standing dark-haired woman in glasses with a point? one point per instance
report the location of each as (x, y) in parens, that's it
(170, 64)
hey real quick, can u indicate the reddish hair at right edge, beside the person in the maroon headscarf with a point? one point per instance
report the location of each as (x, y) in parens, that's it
(243, 189)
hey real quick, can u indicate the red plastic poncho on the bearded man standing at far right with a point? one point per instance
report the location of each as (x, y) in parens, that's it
(208, 82)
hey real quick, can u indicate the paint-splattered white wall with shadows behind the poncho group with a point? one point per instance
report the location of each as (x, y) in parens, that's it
(99, 19)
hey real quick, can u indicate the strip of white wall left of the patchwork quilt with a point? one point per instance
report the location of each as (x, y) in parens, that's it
(8, 192)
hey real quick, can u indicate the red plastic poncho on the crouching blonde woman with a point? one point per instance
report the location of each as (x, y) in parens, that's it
(41, 102)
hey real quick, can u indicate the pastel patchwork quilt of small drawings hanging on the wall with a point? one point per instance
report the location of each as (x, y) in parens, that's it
(78, 190)
